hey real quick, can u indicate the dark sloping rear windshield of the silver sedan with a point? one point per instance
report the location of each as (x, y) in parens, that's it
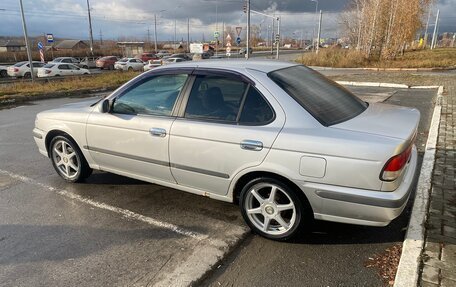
(327, 101)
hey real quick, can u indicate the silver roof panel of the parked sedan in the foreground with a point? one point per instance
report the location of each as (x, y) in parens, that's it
(265, 66)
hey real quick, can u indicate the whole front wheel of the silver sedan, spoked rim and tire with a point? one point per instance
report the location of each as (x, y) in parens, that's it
(68, 160)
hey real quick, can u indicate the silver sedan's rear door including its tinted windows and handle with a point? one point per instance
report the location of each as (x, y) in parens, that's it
(226, 125)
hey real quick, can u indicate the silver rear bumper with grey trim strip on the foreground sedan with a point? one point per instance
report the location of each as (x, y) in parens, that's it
(358, 206)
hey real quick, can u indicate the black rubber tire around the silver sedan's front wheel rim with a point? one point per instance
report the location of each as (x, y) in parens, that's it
(84, 170)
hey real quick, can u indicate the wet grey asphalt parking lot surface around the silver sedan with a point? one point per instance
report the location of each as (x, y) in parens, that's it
(115, 231)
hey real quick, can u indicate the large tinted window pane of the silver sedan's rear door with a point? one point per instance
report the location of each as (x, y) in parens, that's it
(215, 98)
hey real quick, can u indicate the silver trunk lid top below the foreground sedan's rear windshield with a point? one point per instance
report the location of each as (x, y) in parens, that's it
(384, 120)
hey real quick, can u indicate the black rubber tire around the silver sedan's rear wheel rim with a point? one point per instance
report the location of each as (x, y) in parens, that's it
(303, 215)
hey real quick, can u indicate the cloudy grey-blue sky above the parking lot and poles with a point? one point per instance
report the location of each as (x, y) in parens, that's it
(132, 18)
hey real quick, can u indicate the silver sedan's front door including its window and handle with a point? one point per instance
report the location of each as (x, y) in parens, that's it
(133, 138)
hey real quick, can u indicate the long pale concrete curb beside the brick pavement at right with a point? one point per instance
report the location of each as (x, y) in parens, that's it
(409, 265)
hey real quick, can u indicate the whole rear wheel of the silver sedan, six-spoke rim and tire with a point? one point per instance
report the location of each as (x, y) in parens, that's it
(272, 209)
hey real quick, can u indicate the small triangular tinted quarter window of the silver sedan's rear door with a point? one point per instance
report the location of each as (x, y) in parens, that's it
(255, 110)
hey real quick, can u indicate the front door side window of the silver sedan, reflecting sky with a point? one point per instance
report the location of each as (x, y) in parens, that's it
(155, 96)
